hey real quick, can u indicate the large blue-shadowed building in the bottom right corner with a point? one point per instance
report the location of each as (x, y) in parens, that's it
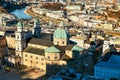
(108, 69)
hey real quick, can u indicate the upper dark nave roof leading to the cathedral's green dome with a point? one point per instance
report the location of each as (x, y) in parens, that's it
(42, 42)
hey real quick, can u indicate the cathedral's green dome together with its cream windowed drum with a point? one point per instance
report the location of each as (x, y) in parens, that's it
(61, 35)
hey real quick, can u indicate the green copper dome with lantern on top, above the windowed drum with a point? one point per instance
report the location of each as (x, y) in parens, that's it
(61, 33)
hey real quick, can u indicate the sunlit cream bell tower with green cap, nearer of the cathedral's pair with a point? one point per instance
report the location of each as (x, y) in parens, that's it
(20, 40)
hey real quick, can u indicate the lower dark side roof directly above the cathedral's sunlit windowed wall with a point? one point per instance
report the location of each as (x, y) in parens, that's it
(33, 50)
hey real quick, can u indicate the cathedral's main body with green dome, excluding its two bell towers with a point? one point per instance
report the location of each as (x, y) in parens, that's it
(48, 55)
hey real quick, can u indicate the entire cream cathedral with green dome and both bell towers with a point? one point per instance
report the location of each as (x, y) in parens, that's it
(42, 54)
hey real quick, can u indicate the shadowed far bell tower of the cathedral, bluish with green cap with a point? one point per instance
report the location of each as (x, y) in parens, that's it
(37, 29)
